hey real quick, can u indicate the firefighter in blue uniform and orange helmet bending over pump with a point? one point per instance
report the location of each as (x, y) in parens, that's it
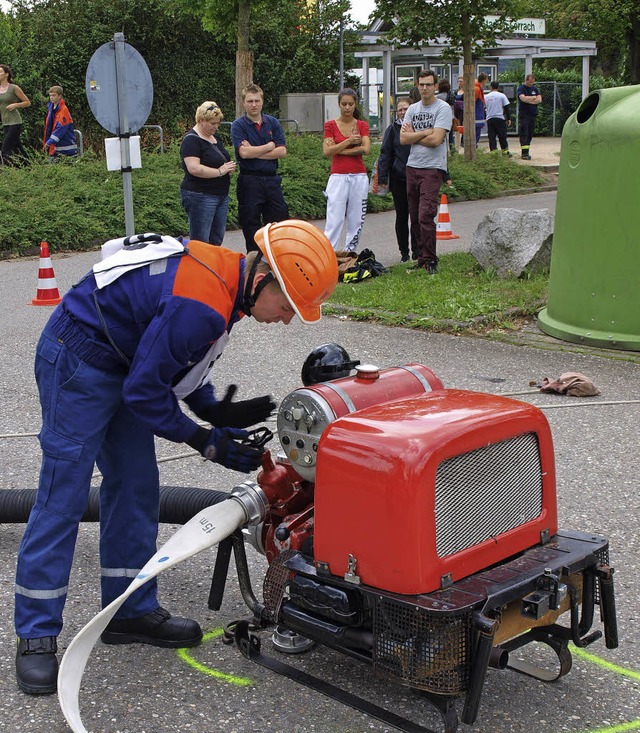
(137, 334)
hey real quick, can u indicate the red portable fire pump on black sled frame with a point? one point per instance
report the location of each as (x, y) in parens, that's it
(414, 527)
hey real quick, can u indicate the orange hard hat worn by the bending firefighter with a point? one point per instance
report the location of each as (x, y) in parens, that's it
(303, 262)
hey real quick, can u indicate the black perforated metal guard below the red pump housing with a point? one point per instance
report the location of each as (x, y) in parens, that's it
(425, 651)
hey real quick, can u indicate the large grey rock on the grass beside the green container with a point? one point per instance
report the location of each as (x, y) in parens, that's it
(513, 242)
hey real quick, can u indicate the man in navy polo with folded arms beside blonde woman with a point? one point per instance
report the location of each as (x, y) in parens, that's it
(259, 143)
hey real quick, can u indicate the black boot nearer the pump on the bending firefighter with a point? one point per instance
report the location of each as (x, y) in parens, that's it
(158, 628)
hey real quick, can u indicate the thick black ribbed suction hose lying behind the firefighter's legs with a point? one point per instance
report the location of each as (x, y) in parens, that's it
(177, 503)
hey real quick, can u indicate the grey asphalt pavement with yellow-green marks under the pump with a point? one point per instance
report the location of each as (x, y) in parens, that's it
(213, 689)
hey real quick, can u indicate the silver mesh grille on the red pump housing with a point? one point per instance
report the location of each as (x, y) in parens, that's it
(486, 492)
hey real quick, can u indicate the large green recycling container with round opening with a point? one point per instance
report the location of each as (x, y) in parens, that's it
(594, 282)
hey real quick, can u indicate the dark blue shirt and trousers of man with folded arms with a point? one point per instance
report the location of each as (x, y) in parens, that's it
(258, 189)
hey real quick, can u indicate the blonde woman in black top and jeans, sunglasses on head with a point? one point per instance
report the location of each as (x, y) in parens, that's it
(207, 171)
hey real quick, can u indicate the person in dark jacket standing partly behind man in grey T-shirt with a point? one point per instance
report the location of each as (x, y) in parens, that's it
(391, 170)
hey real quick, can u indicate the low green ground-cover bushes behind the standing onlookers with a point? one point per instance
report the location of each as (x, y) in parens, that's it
(74, 205)
